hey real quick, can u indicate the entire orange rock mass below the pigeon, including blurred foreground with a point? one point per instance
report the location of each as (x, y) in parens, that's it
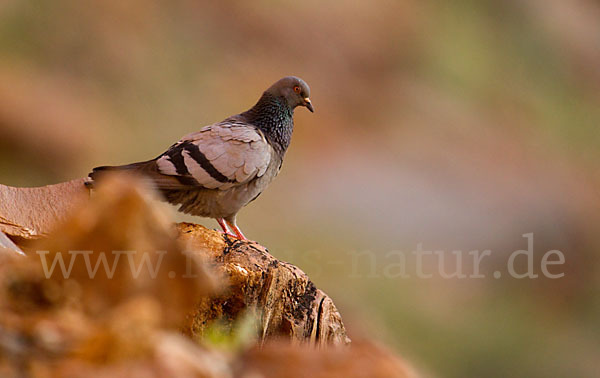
(66, 322)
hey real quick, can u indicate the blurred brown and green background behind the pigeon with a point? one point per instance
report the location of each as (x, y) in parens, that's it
(455, 125)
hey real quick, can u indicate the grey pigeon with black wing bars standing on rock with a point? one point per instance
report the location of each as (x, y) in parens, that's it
(218, 170)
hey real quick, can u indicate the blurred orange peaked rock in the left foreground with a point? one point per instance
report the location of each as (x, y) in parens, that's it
(96, 310)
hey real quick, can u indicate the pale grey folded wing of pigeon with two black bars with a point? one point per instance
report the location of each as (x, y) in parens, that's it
(217, 157)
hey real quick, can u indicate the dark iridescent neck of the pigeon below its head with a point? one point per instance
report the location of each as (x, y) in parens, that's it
(274, 117)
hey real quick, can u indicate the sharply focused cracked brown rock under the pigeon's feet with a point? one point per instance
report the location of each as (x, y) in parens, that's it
(287, 302)
